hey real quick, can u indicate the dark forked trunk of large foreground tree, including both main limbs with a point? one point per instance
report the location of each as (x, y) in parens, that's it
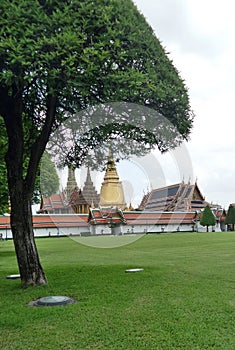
(21, 178)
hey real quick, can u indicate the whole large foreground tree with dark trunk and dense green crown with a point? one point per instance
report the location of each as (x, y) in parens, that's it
(58, 58)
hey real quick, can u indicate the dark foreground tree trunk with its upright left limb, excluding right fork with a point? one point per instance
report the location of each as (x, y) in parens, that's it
(20, 192)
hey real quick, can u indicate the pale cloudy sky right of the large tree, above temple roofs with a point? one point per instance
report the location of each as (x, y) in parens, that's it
(199, 36)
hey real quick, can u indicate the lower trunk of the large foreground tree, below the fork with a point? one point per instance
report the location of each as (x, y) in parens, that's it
(30, 268)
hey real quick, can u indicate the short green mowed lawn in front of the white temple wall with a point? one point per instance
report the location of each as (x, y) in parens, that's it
(184, 298)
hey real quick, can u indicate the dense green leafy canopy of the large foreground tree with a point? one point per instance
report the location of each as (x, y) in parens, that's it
(109, 48)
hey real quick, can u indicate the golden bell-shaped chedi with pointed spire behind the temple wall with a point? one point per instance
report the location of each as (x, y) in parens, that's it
(111, 193)
